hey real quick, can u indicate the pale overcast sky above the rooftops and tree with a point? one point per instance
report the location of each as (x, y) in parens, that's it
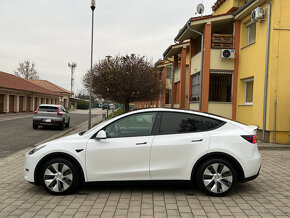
(52, 33)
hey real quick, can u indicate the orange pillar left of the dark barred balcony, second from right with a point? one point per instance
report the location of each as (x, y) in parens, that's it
(206, 67)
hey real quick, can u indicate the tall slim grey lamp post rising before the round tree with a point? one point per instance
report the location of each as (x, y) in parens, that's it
(93, 3)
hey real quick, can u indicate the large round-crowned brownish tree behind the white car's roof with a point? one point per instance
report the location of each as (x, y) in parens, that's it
(126, 79)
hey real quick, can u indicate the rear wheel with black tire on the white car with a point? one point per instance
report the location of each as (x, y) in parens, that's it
(216, 177)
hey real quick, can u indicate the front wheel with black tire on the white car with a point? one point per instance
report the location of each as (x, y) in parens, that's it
(59, 176)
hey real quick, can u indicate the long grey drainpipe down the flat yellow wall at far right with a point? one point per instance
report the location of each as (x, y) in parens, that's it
(266, 69)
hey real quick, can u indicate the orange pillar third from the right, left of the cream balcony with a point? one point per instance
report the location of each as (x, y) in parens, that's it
(182, 78)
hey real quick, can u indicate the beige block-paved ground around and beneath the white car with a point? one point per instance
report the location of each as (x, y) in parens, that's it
(267, 196)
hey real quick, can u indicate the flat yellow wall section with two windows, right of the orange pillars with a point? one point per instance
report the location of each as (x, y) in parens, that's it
(264, 80)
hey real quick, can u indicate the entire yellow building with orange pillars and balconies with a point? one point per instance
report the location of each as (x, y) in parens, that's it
(252, 85)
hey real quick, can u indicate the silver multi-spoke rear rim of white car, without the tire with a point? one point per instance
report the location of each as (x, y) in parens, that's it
(217, 178)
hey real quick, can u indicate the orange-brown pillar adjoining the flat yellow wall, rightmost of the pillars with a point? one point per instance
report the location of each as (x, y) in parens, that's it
(236, 68)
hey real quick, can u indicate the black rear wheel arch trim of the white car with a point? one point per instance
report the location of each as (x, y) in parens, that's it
(231, 159)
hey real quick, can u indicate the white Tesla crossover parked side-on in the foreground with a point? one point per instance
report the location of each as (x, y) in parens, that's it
(150, 144)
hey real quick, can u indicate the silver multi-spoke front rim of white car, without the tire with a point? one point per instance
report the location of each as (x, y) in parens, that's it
(58, 177)
